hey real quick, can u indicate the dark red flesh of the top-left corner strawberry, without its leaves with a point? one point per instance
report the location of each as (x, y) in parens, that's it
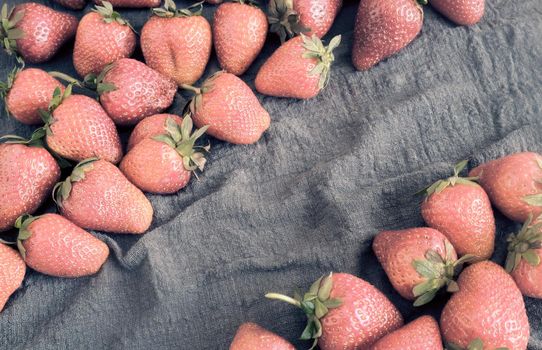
(45, 31)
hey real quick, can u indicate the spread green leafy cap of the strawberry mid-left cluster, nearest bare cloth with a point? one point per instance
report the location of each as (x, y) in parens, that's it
(182, 139)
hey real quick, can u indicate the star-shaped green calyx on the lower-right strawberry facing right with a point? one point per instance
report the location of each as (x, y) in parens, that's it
(438, 271)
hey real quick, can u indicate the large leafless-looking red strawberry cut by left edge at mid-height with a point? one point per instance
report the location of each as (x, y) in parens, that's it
(27, 177)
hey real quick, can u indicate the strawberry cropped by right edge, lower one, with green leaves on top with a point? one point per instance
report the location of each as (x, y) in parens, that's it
(523, 260)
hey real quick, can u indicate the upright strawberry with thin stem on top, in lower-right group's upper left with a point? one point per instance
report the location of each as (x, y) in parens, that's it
(460, 209)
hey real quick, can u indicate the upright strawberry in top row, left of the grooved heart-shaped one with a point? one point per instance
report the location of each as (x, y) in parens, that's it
(103, 37)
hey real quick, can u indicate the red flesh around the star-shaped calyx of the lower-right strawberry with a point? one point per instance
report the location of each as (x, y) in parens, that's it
(396, 250)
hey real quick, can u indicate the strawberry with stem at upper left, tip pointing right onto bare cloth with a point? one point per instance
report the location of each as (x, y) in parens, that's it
(230, 108)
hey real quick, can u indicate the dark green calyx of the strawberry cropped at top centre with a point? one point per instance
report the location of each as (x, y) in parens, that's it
(284, 20)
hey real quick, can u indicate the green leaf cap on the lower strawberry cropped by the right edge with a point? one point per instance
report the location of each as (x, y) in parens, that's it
(524, 245)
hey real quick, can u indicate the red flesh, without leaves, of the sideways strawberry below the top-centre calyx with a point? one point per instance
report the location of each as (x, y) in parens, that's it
(287, 73)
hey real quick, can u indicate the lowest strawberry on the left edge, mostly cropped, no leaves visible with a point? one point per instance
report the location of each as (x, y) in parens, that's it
(12, 270)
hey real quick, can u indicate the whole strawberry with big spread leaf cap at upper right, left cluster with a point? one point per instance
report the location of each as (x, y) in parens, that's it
(164, 163)
